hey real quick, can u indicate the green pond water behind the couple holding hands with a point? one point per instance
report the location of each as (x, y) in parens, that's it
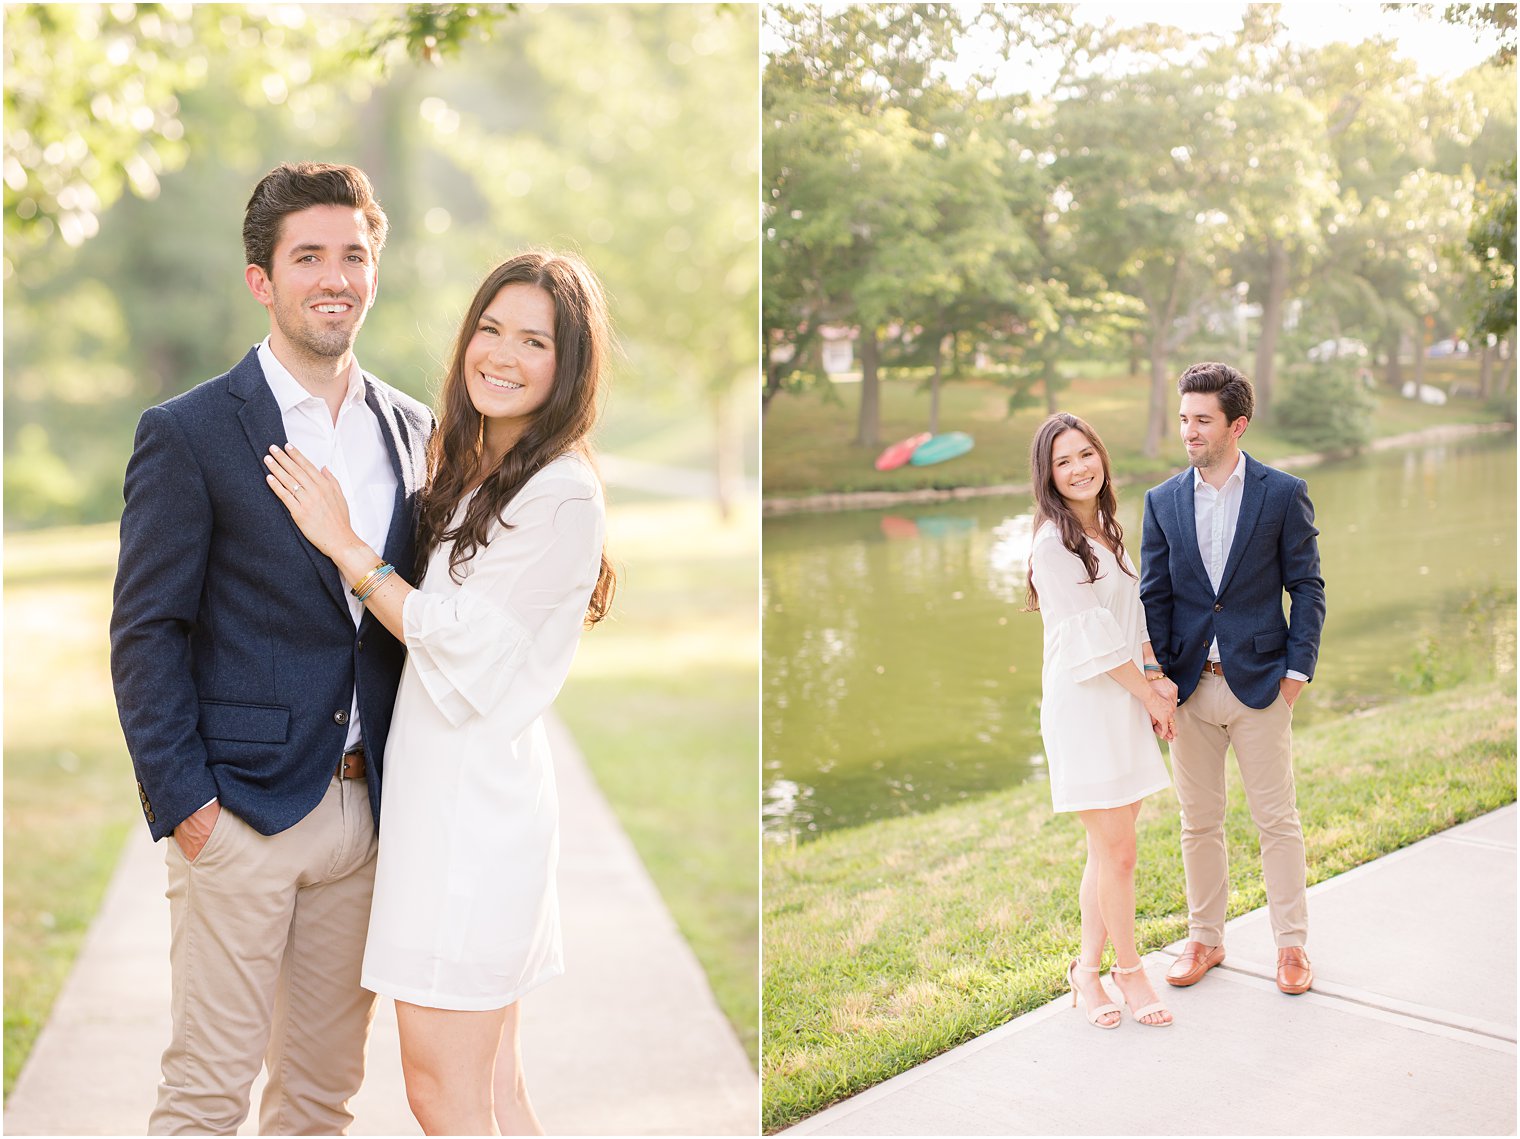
(901, 673)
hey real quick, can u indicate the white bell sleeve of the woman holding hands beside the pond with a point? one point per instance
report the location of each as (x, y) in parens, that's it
(1083, 638)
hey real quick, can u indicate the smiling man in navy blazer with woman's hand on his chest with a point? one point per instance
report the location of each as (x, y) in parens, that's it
(255, 694)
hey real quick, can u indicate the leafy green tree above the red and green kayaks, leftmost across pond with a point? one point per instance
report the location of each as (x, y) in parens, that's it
(895, 198)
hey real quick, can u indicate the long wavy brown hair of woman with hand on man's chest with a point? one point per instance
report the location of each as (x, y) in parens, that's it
(583, 346)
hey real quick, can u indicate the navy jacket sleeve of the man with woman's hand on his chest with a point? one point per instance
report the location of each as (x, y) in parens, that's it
(166, 531)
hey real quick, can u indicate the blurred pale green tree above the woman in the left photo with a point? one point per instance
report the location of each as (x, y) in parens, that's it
(657, 191)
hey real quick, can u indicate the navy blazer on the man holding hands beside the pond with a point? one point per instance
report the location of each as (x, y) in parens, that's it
(1275, 551)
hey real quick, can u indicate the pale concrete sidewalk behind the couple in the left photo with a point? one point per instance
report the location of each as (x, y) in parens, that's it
(627, 1042)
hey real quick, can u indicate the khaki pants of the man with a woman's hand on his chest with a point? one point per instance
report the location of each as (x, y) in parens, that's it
(268, 938)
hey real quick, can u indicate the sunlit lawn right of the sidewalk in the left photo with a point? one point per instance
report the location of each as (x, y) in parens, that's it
(665, 705)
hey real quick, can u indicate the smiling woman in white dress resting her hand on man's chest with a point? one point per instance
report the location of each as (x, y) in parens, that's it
(466, 918)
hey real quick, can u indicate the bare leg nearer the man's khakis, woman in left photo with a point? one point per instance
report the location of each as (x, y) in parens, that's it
(448, 1058)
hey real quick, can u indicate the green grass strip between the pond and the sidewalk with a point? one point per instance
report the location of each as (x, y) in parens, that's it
(891, 944)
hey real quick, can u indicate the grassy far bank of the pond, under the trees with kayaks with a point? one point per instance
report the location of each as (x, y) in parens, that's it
(809, 437)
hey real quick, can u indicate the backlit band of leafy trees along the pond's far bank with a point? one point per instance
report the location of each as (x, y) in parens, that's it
(1159, 195)
